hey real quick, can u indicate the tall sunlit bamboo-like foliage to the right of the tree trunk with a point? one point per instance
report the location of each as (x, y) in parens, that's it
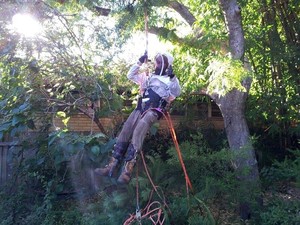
(273, 53)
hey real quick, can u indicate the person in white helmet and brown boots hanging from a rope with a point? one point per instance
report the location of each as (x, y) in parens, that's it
(157, 90)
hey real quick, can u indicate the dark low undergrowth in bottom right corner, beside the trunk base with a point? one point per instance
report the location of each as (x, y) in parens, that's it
(281, 182)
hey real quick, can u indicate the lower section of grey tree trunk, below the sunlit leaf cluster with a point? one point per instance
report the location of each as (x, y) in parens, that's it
(244, 161)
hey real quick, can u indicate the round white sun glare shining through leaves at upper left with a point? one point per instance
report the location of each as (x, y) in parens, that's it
(26, 25)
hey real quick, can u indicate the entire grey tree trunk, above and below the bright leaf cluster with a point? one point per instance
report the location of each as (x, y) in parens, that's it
(232, 106)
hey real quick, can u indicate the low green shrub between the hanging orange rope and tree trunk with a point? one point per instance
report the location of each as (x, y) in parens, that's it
(209, 170)
